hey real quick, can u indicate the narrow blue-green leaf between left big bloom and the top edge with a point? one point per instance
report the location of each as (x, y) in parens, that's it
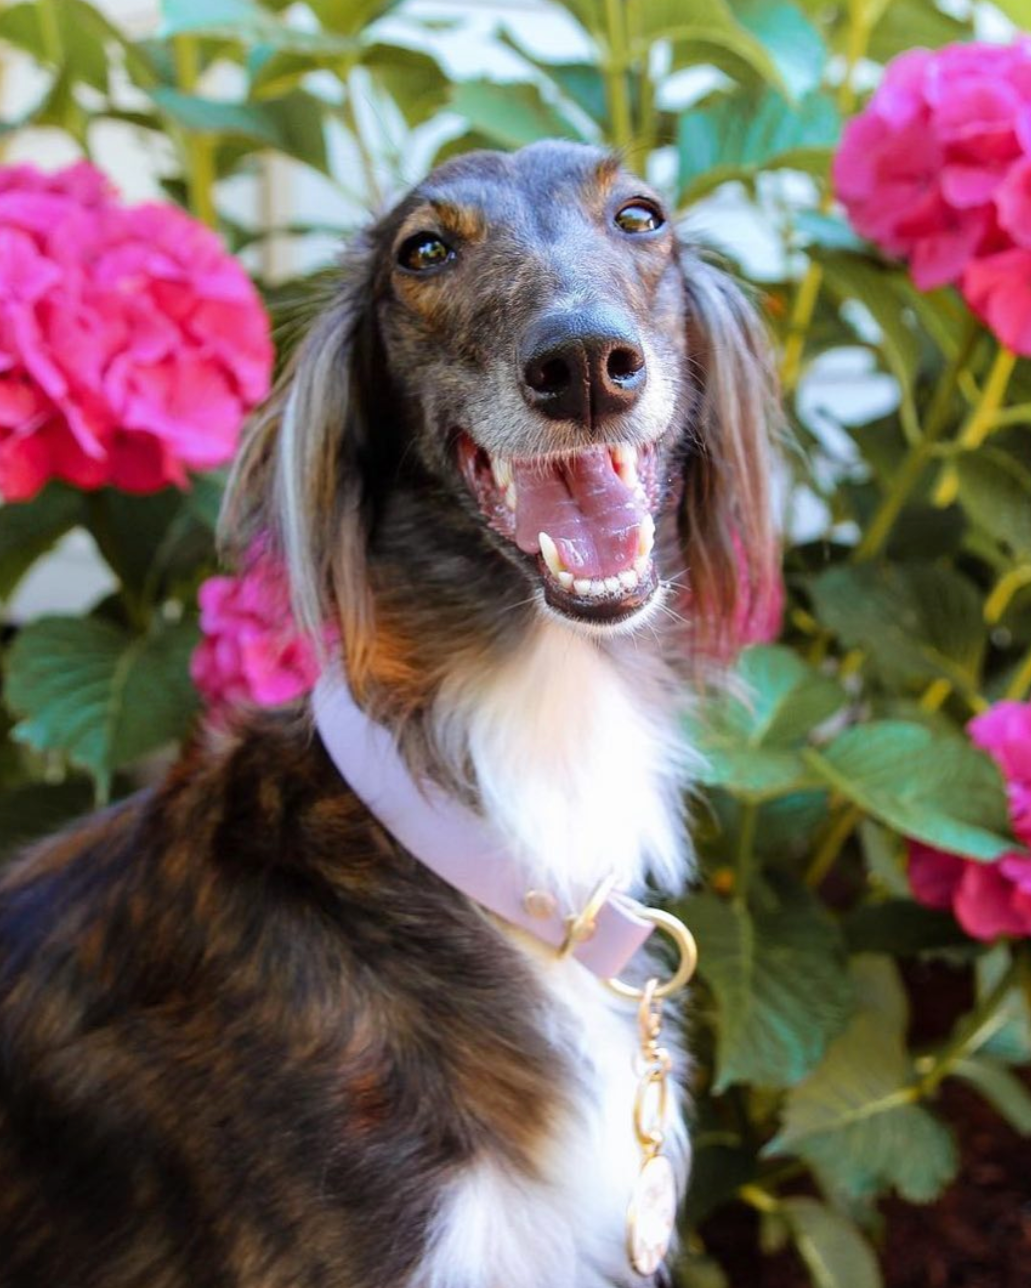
(293, 124)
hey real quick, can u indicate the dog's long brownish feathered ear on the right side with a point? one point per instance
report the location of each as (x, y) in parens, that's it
(727, 525)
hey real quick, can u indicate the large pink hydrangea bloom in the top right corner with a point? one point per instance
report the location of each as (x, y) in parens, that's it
(923, 169)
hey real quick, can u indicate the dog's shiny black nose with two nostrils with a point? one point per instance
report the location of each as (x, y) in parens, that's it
(583, 366)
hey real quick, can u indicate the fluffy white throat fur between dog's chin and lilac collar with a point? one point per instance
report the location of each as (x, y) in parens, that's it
(575, 754)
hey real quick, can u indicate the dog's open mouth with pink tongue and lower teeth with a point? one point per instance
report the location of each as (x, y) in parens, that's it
(587, 517)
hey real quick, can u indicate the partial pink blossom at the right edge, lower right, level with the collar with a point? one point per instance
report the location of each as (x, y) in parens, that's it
(989, 900)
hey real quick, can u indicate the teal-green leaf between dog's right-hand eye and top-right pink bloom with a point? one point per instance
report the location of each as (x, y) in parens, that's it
(739, 136)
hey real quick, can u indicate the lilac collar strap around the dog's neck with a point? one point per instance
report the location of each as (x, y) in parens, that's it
(461, 847)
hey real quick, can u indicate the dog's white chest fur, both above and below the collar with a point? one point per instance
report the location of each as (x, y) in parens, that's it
(579, 766)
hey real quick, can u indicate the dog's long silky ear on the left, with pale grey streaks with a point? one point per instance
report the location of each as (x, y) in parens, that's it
(298, 481)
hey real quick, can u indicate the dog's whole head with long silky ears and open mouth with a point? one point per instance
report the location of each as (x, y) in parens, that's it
(528, 399)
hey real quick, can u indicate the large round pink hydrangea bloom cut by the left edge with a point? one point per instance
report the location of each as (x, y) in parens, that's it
(132, 346)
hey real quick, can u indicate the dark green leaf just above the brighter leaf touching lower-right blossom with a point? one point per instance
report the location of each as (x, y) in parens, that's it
(917, 623)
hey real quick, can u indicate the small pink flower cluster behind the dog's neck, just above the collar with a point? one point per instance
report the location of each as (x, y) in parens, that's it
(252, 651)
